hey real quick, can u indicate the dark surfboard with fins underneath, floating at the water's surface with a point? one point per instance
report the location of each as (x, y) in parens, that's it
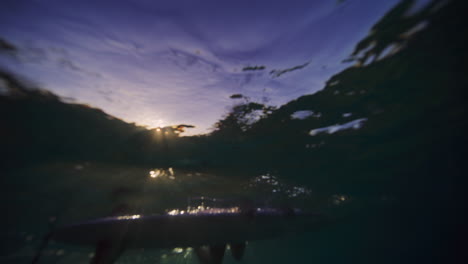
(207, 230)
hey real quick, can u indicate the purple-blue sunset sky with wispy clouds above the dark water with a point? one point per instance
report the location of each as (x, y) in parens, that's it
(159, 63)
